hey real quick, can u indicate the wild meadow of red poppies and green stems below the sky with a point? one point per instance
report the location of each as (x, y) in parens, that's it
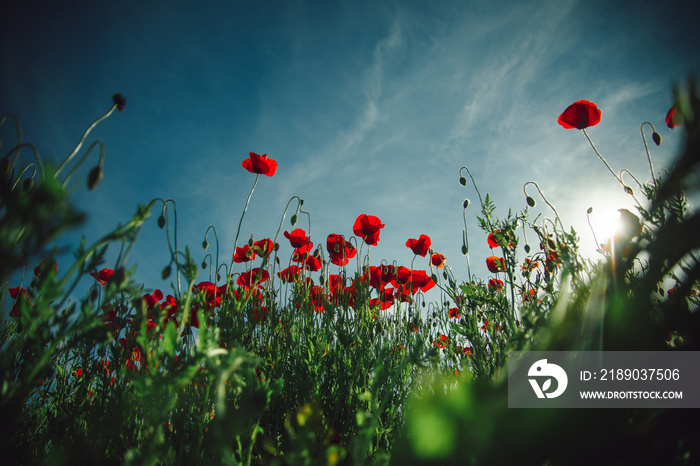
(323, 356)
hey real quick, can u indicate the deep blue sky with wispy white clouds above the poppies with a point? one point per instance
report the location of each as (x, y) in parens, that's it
(368, 107)
